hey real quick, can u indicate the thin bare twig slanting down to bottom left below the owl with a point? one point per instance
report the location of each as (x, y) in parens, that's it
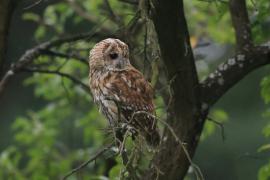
(83, 165)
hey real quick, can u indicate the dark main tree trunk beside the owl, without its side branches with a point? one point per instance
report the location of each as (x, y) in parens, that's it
(171, 161)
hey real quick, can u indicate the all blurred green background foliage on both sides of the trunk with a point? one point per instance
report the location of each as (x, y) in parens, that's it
(69, 129)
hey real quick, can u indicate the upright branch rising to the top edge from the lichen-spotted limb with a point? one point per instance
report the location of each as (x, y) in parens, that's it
(241, 24)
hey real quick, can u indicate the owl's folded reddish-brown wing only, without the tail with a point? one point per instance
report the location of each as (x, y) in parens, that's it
(130, 90)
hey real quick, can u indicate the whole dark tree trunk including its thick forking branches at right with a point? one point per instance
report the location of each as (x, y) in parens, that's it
(190, 100)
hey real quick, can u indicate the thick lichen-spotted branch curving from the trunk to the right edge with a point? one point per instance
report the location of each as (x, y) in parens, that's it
(231, 72)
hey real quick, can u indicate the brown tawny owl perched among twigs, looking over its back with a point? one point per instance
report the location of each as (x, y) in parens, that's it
(120, 90)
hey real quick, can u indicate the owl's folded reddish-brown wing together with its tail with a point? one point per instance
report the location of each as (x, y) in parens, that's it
(131, 93)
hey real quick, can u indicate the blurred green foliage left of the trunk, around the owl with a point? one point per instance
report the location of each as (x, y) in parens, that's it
(69, 129)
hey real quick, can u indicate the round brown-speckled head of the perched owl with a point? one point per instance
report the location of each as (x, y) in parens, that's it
(110, 55)
